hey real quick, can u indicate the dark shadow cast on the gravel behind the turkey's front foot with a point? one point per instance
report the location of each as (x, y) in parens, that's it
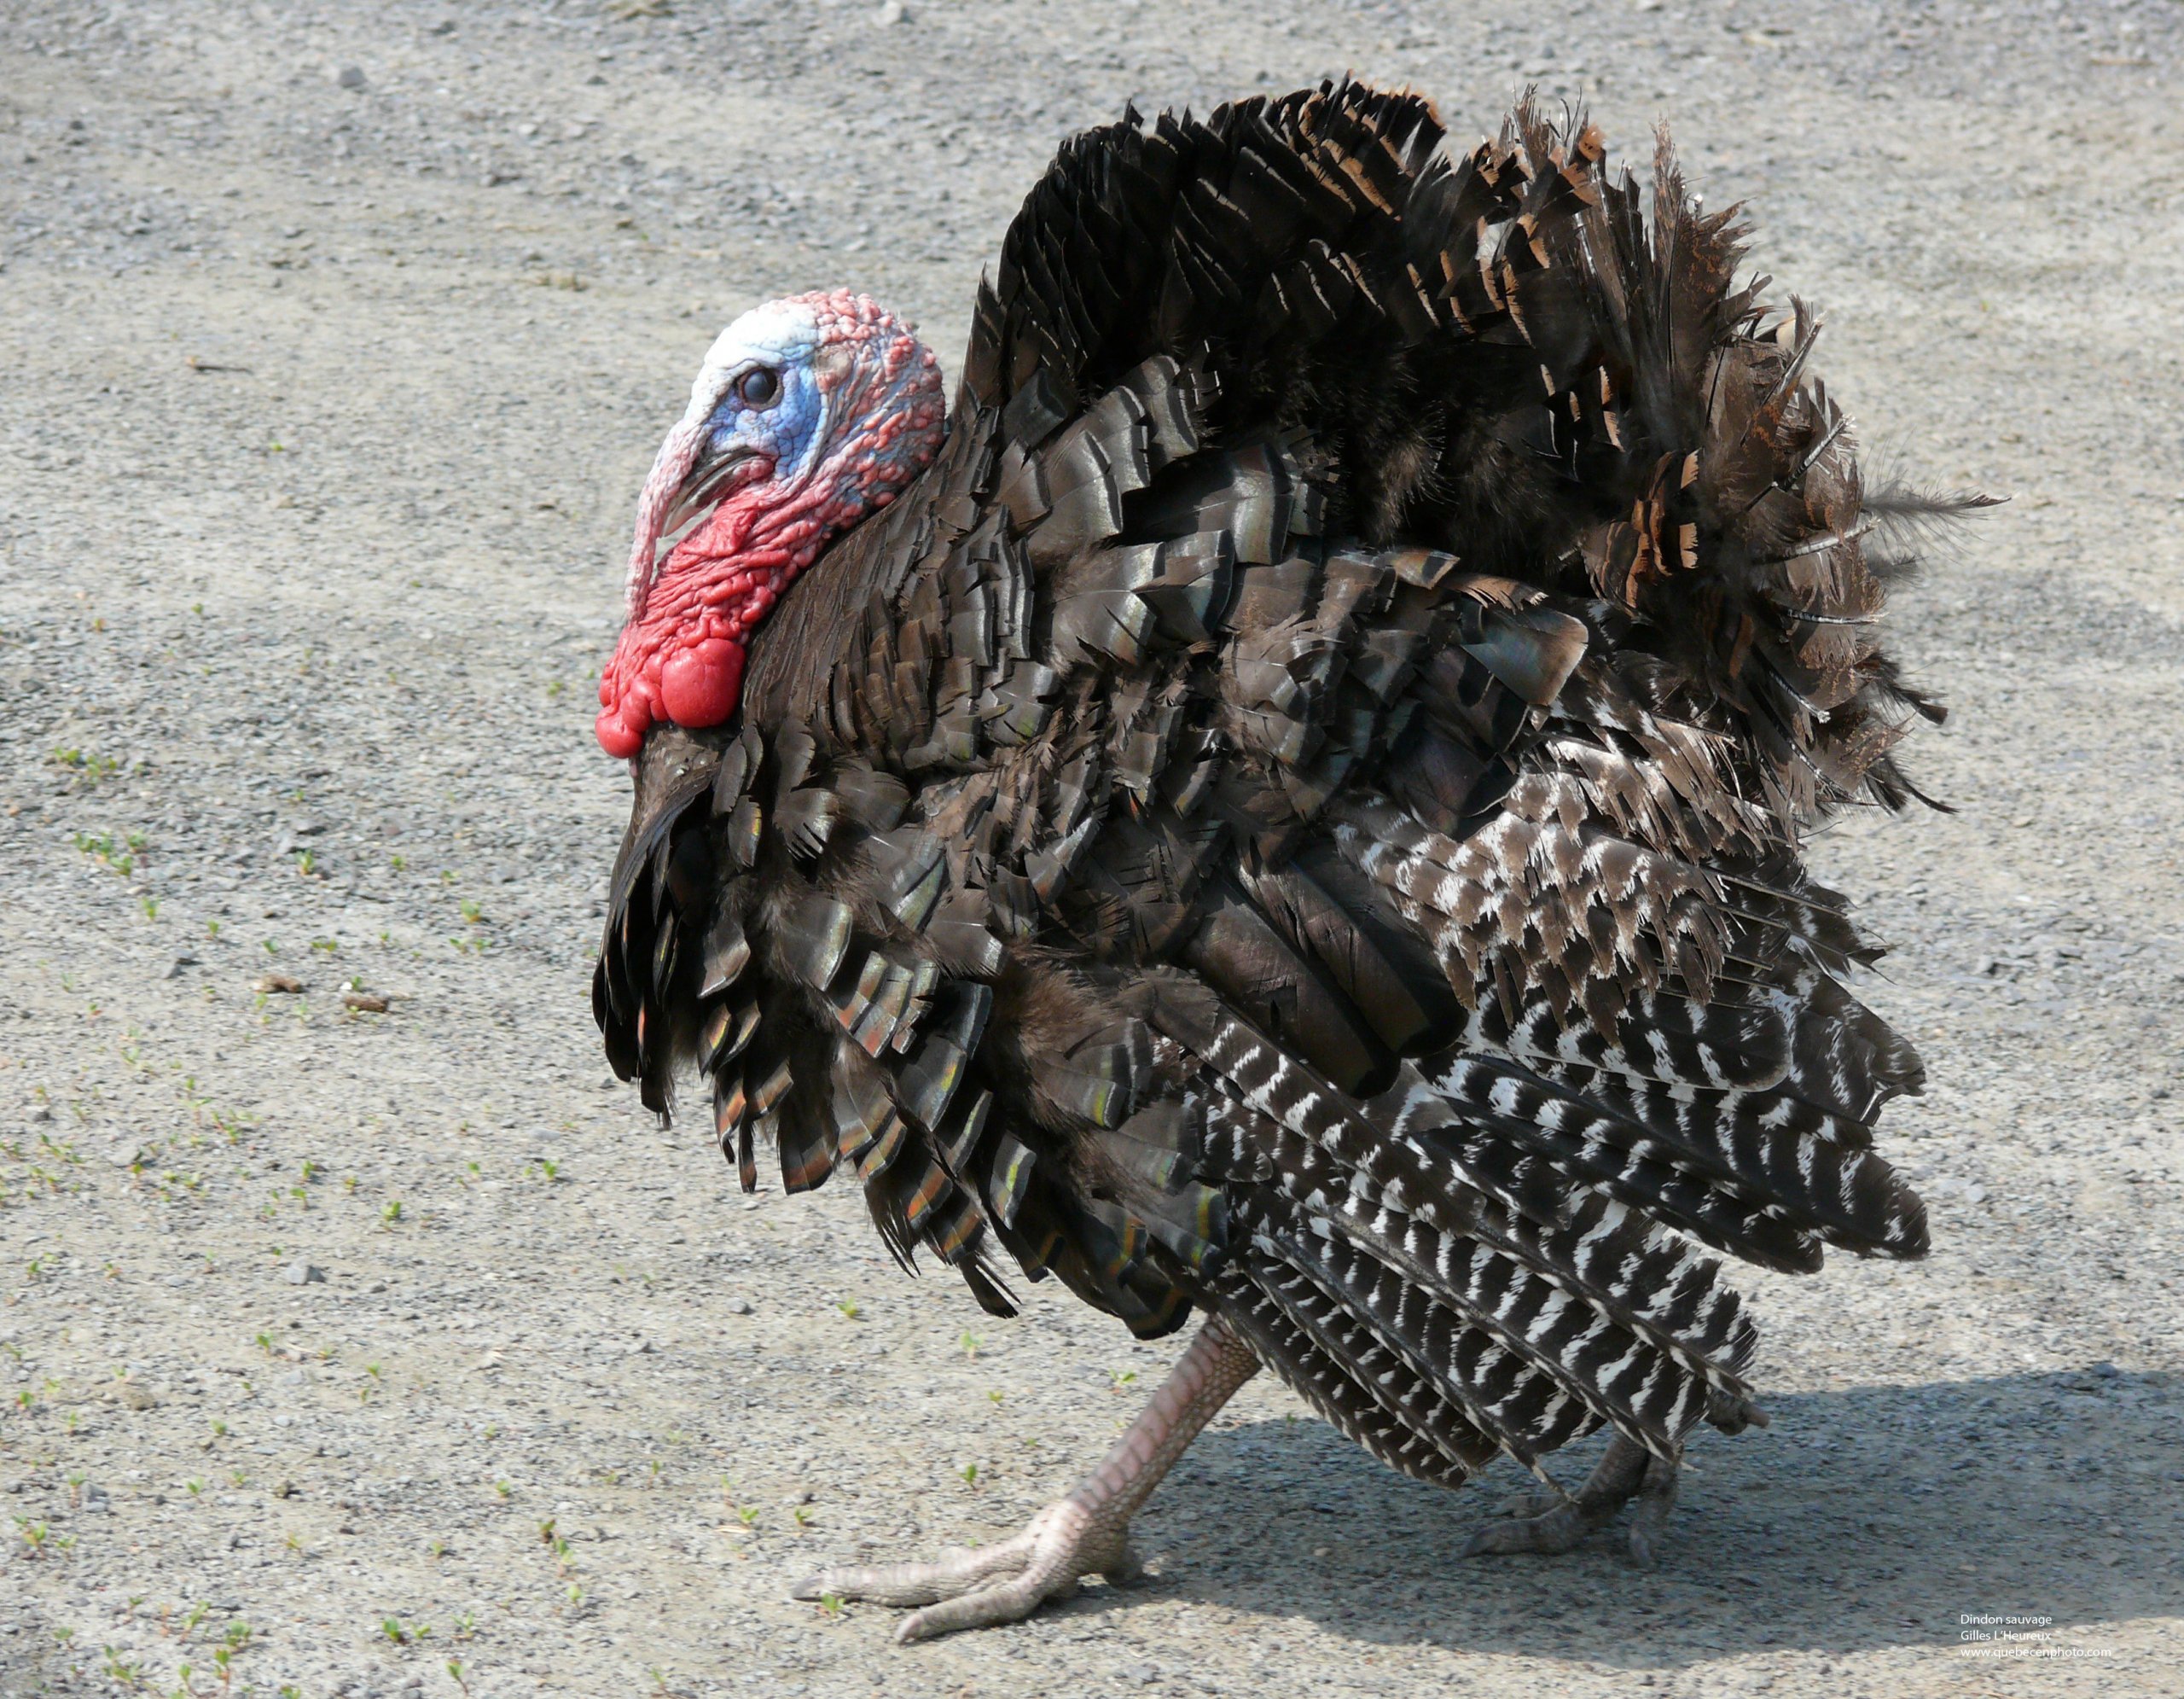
(1969, 1490)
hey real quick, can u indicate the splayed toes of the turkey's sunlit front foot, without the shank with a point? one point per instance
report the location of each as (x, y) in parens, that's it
(993, 1584)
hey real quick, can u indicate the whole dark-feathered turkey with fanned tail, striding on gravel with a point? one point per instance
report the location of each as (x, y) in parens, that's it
(1287, 803)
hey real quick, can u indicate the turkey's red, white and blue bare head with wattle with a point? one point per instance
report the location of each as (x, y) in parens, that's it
(807, 416)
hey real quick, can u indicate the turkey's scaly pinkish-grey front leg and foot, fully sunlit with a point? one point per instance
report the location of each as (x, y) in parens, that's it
(1078, 1536)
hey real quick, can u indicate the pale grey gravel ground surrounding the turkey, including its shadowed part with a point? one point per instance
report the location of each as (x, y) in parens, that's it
(337, 342)
